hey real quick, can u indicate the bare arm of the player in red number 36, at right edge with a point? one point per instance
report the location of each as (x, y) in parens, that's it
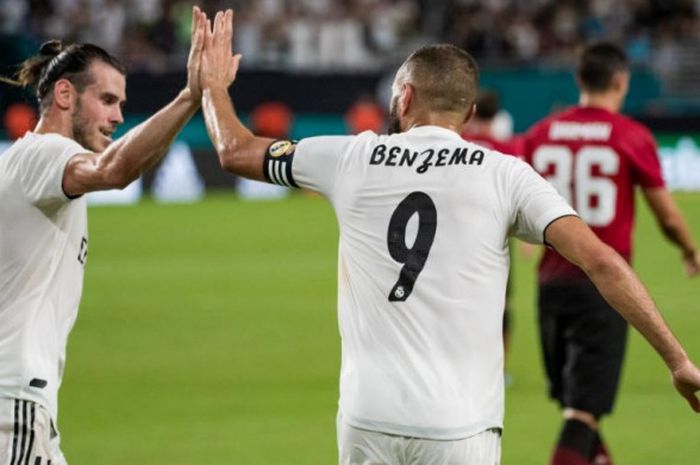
(673, 225)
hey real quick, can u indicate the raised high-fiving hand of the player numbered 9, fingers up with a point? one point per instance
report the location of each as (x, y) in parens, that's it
(219, 65)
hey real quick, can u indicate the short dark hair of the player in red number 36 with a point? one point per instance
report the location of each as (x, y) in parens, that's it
(598, 63)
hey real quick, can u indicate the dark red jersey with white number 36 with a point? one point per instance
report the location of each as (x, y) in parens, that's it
(595, 159)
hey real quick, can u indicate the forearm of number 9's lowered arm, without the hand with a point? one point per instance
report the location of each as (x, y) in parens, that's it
(623, 290)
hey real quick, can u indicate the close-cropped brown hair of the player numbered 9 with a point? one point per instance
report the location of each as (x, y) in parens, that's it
(446, 77)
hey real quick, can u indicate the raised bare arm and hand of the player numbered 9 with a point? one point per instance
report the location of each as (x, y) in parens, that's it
(239, 150)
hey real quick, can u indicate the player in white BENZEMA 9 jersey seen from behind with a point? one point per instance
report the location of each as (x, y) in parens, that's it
(424, 221)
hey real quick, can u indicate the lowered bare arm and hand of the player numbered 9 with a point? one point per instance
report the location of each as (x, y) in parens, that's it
(623, 290)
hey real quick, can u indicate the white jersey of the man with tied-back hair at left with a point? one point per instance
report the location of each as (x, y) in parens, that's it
(43, 248)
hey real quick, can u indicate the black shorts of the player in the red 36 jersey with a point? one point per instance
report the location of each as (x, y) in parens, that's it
(583, 341)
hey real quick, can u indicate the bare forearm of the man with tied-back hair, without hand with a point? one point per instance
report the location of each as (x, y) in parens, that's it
(144, 145)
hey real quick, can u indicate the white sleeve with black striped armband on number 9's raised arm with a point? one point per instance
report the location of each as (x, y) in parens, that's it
(312, 163)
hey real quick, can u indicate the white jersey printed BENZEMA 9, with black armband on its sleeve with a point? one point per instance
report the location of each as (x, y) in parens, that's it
(424, 221)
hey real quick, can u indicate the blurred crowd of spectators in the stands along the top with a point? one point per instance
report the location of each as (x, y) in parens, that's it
(363, 34)
